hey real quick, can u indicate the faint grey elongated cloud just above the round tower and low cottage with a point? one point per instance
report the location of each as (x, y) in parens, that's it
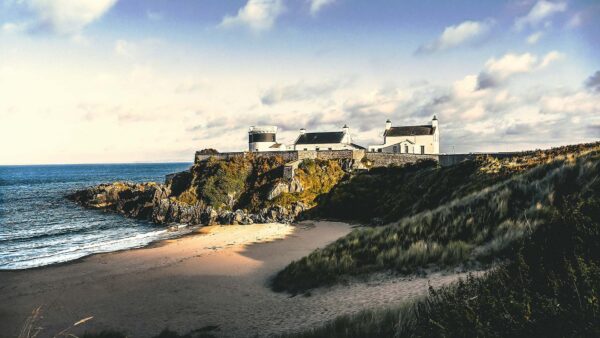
(300, 92)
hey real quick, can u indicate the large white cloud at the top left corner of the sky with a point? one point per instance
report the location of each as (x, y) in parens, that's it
(65, 17)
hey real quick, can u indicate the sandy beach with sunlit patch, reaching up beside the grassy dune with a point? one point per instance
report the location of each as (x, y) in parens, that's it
(217, 278)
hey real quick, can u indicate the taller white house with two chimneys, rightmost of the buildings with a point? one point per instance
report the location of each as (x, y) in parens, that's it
(423, 139)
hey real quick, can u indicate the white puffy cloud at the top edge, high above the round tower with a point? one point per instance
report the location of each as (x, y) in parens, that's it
(258, 15)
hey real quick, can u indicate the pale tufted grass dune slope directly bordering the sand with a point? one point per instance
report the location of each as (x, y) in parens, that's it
(471, 230)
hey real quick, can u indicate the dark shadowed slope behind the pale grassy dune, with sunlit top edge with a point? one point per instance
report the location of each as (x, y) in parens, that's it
(389, 194)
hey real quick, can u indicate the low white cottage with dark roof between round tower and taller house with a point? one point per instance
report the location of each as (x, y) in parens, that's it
(333, 140)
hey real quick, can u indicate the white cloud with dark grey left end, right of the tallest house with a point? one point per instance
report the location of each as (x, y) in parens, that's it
(499, 70)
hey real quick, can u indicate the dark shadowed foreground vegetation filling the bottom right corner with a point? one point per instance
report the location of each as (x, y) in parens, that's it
(549, 288)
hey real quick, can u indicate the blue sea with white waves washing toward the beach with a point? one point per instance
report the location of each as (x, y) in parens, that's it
(39, 226)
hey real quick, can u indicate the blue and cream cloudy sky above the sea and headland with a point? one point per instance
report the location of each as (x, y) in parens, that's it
(113, 81)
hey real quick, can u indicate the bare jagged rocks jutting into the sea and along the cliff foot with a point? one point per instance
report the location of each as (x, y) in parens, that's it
(152, 201)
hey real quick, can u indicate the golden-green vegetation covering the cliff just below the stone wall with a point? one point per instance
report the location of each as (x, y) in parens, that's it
(244, 182)
